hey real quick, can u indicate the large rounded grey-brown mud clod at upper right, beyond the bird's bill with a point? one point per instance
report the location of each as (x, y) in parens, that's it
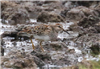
(80, 12)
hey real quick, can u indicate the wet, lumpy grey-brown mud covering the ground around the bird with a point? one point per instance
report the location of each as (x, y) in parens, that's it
(82, 22)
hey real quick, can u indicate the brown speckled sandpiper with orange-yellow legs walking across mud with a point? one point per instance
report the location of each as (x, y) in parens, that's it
(42, 32)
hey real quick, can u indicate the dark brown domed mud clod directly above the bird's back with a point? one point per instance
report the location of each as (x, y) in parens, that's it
(50, 17)
